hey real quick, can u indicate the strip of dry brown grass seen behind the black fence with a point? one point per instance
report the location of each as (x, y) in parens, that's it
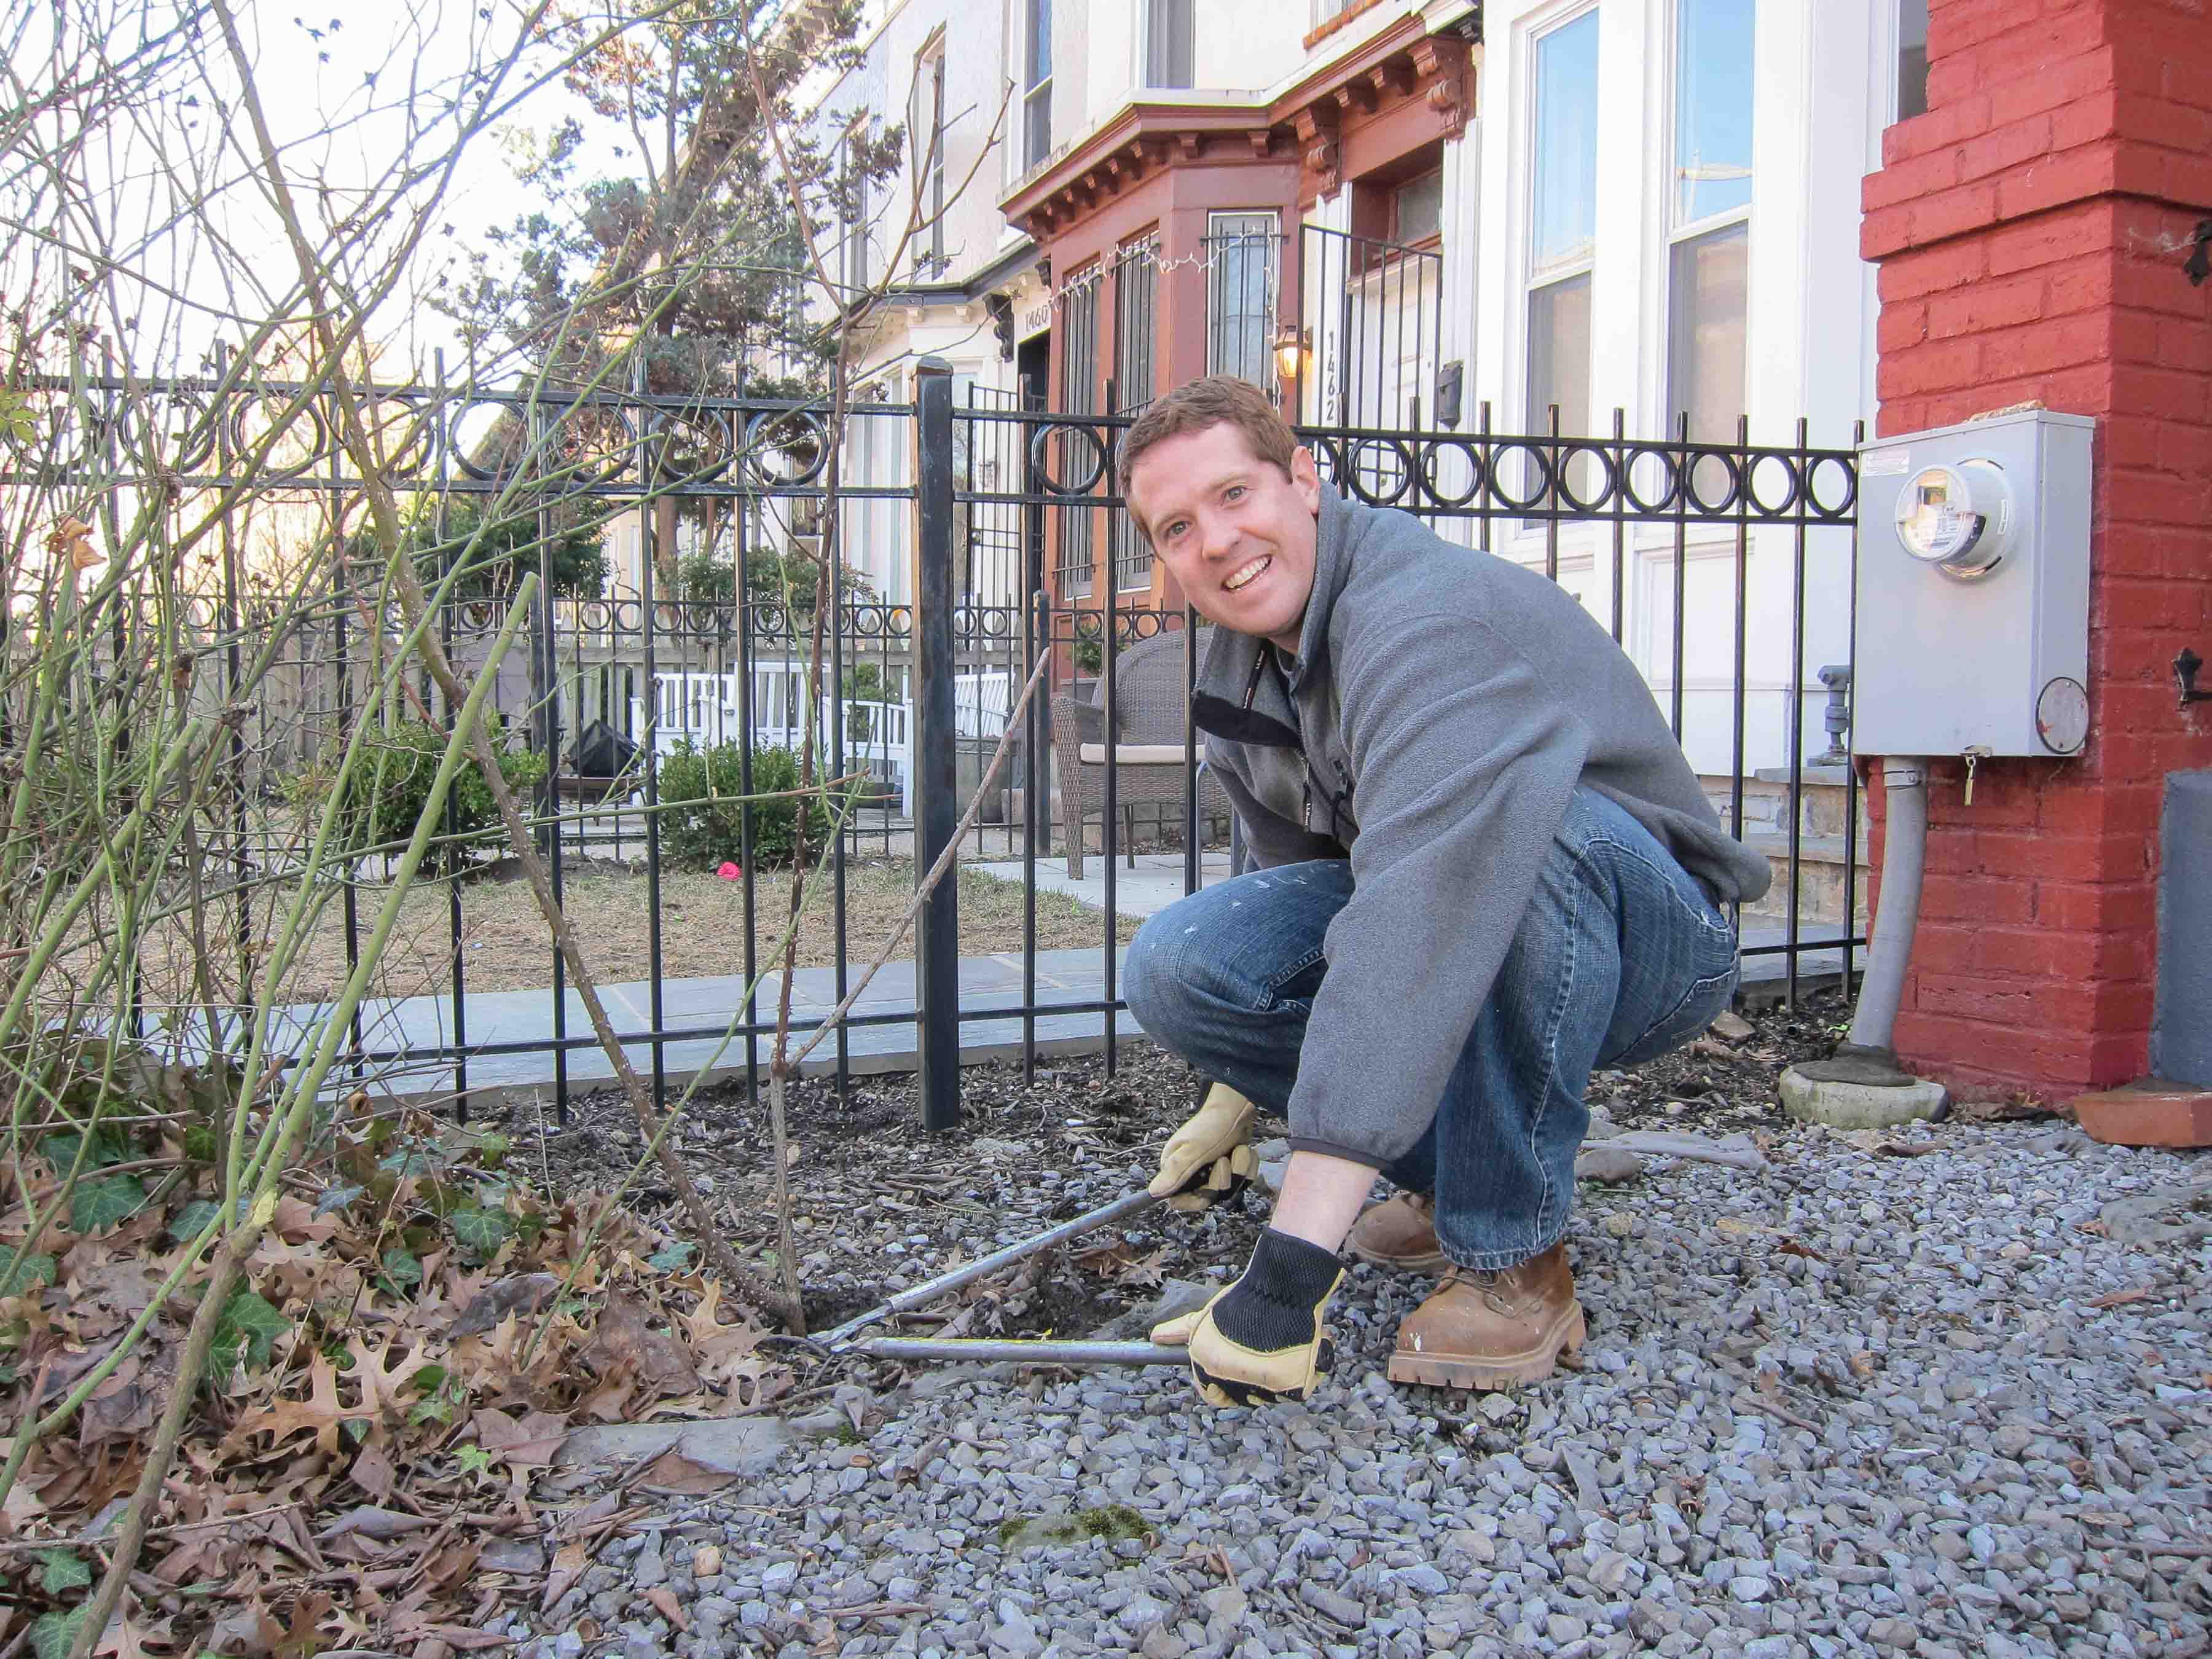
(505, 943)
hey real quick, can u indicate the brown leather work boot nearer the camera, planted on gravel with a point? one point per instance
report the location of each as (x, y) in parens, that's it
(1492, 1331)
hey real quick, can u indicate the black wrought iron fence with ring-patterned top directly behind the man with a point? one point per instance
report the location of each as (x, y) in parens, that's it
(700, 660)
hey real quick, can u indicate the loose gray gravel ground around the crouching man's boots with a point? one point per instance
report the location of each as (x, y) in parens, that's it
(1919, 1395)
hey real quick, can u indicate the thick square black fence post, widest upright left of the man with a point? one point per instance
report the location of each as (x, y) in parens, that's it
(937, 808)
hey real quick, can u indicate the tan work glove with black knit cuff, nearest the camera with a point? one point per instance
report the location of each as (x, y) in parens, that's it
(1262, 1339)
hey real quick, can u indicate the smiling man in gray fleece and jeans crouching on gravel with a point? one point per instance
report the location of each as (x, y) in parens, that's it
(1483, 868)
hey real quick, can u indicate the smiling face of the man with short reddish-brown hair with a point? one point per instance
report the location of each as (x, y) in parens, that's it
(1235, 532)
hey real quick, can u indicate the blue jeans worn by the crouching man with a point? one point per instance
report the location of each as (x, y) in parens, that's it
(1618, 959)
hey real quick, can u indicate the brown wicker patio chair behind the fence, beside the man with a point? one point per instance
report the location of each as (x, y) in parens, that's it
(1149, 749)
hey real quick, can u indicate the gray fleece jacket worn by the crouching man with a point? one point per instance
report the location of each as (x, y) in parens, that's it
(1434, 724)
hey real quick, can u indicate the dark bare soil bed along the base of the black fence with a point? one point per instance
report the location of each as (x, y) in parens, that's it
(886, 1204)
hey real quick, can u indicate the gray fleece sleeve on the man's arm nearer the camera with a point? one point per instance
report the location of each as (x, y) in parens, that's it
(1465, 766)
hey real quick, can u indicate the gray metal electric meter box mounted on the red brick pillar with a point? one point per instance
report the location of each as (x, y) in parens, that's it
(1974, 589)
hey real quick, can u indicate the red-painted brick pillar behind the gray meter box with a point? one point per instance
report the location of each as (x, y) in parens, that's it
(2032, 233)
